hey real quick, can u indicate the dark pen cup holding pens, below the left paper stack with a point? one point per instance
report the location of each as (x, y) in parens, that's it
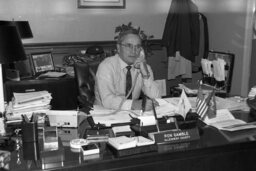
(29, 132)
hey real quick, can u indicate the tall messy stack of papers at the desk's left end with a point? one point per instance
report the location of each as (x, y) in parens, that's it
(27, 104)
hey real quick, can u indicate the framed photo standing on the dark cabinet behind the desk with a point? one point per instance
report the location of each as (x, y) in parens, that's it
(42, 62)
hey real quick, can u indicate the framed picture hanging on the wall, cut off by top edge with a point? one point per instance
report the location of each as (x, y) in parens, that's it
(101, 3)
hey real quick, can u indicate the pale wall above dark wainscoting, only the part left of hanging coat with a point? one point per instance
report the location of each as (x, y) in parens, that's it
(62, 21)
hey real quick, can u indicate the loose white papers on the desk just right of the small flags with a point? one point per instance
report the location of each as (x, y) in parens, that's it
(224, 120)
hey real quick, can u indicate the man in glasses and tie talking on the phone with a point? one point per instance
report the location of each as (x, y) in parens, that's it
(112, 85)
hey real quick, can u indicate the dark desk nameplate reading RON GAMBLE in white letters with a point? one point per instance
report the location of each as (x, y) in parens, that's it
(175, 136)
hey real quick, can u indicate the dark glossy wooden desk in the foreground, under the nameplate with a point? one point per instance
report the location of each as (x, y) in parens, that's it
(211, 152)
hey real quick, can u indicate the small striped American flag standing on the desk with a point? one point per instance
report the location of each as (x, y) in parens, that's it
(201, 104)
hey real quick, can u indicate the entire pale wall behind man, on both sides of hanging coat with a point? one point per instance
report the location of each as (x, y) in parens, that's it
(62, 21)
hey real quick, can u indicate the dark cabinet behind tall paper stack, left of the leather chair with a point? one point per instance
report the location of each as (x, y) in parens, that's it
(64, 90)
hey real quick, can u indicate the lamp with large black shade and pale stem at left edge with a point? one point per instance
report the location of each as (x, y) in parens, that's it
(11, 49)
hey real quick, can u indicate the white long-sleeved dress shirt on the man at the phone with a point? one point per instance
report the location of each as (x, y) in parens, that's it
(111, 81)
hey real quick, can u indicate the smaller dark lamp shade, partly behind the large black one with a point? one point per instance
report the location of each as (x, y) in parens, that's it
(24, 29)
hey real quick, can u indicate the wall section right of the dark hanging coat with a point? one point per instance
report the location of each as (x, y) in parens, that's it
(228, 29)
